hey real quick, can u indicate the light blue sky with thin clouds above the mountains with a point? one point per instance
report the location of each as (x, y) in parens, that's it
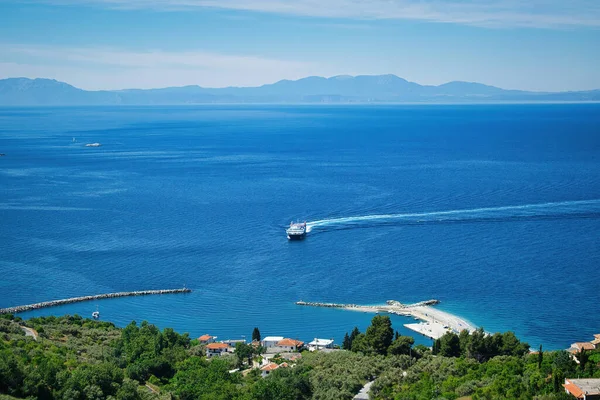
(541, 45)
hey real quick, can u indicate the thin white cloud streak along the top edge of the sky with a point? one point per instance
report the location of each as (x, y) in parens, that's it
(489, 13)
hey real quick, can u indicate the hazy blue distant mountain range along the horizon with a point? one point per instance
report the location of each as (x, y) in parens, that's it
(314, 89)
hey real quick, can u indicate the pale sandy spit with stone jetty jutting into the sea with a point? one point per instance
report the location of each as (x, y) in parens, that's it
(433, 323)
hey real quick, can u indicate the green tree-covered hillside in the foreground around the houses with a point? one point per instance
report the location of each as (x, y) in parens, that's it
(73, 358)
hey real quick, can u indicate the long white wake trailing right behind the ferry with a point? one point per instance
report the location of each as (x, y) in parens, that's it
(590, 208)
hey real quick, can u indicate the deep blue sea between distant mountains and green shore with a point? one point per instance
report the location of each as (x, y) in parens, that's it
(492, 209)
